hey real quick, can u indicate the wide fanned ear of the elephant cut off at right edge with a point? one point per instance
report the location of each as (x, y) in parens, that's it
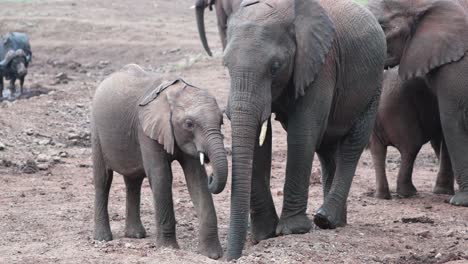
(440, 36)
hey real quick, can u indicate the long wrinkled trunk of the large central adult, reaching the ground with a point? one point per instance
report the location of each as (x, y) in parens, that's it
(249, 105)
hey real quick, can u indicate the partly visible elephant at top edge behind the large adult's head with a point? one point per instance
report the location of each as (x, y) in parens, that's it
(224, 8)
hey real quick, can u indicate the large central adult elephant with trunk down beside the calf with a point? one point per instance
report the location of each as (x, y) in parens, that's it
(318, 66)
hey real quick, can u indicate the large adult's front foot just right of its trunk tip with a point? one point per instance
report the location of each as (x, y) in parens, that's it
(263, 227)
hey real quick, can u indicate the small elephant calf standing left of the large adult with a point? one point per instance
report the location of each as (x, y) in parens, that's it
(139, 126)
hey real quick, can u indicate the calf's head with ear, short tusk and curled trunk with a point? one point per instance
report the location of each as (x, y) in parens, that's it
(189, 119)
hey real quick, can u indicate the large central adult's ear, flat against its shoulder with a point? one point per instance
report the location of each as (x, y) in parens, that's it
(314, 36)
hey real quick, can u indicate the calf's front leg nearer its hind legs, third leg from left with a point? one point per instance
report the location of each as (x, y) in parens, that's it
(158, 170)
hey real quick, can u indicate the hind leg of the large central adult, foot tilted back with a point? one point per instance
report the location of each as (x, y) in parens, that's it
(333, 212)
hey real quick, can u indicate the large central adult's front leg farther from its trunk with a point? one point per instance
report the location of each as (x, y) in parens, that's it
(306, 125)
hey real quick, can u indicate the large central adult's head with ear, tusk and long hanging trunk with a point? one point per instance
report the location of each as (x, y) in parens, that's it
(275, 49)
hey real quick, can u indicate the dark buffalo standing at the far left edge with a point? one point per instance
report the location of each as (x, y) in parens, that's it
(16, 67)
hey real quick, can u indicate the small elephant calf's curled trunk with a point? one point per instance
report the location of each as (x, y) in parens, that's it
(217, 155)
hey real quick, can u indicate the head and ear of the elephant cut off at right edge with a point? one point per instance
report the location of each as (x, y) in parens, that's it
(422, 35)
